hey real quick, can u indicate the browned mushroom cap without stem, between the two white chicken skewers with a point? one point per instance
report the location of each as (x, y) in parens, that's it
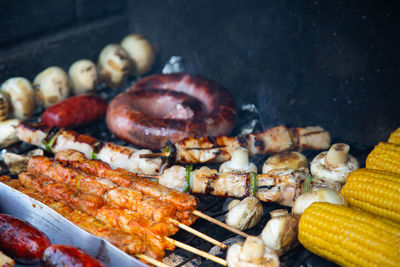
(292, 160)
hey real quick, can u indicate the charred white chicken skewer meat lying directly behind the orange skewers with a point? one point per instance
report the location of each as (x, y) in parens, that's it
(54, 140)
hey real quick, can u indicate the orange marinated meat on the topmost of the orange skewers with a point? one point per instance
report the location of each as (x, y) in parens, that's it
(121, 177)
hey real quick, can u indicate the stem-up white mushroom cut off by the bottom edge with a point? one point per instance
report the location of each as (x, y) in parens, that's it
(251, 253)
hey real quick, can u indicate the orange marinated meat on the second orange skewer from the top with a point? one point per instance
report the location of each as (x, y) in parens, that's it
(103, 188)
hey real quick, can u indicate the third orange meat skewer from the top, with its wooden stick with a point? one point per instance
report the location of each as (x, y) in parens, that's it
(155, 234)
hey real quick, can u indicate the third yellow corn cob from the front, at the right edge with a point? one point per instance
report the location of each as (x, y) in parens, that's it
(384, 156)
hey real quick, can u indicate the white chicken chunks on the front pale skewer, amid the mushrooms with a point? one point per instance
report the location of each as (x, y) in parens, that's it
(282, 186)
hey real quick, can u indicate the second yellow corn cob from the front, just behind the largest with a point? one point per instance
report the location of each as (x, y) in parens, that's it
(375, 191)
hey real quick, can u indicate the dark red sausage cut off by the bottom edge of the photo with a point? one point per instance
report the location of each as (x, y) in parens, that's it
(63, 255)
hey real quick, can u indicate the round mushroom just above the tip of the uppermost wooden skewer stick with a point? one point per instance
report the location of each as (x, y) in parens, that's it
(245, 214)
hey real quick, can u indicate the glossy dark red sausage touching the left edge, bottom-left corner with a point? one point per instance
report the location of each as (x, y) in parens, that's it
(20, 240)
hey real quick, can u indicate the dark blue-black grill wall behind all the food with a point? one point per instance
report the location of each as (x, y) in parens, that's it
(328, 63)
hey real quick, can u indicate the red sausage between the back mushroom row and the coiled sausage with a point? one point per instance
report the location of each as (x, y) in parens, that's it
(75, 111)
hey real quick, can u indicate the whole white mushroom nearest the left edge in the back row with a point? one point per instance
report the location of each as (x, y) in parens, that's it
(20, 95)
